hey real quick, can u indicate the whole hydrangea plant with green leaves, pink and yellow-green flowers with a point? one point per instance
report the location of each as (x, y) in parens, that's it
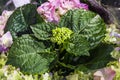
(60, 37)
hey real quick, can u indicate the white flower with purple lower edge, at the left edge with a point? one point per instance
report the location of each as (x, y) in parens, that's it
(5, 42)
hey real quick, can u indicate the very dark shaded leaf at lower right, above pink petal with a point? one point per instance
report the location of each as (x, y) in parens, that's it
(99, 58)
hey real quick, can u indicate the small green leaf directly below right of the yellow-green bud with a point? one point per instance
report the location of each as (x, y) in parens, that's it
(77, 45)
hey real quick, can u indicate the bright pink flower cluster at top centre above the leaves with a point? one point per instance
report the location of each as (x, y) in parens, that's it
(53, 9)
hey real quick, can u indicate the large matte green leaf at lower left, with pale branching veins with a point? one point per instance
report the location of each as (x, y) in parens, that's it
(30, 56)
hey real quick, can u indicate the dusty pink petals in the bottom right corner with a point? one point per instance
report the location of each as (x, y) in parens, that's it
(104, 74)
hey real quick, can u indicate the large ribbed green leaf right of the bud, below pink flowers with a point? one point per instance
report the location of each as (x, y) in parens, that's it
(86, 23)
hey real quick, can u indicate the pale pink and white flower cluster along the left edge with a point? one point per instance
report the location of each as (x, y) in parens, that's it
(5, 39)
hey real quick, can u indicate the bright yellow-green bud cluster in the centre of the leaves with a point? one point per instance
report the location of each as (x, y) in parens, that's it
(59, 35)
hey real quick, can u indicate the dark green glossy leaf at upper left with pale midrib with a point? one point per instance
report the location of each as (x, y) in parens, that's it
(21, 19)
